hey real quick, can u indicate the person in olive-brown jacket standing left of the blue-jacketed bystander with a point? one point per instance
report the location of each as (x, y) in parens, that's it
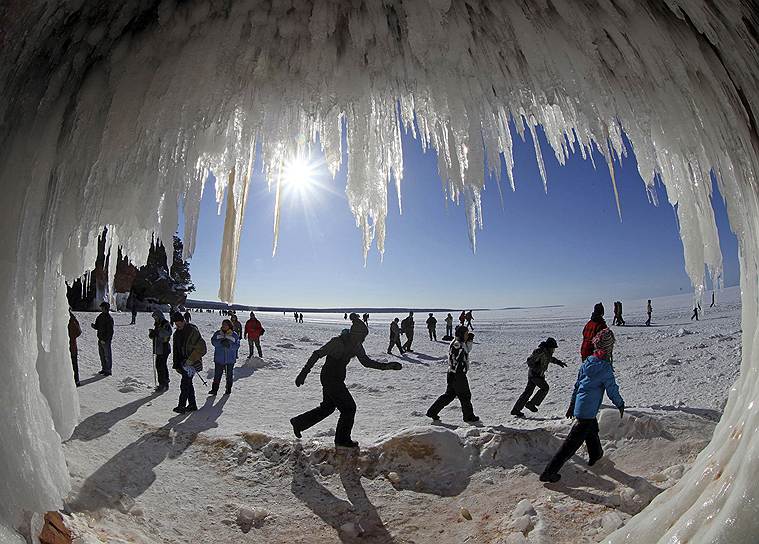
(189, 349)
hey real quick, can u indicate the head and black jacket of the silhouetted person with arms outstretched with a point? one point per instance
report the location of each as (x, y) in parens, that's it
(340, 350)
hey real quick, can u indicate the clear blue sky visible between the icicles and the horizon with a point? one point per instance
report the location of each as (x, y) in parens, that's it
(565, 247)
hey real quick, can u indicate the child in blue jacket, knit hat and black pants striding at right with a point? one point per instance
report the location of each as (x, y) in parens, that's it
(596, 375)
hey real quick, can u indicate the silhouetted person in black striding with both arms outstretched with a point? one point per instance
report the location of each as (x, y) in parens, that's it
(339, 351)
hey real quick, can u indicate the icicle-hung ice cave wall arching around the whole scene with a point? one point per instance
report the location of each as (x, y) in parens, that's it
(115, 112)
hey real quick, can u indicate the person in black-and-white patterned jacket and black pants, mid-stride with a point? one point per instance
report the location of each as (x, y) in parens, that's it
(456, 379)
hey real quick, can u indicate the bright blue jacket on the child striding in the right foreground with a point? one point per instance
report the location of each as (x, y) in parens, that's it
(594, 377)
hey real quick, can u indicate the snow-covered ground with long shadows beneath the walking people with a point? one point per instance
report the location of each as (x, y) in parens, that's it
(232, 471)
